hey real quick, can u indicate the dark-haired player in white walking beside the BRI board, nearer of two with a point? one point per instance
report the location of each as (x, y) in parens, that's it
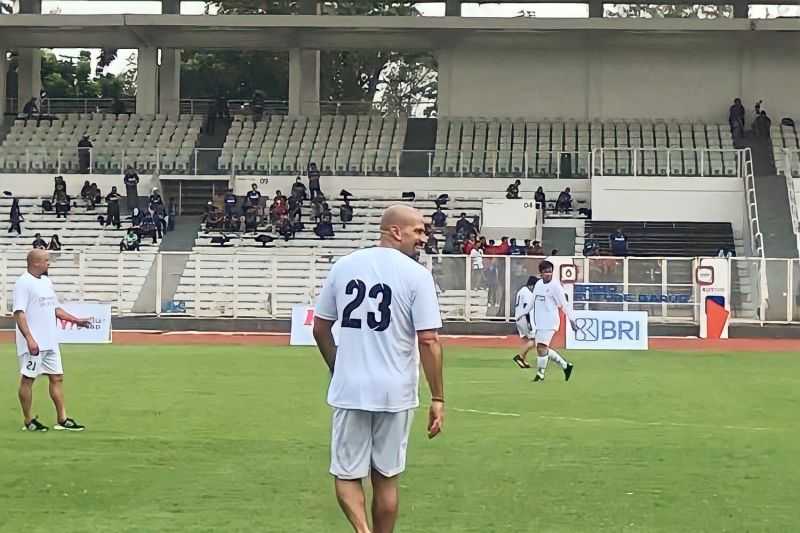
(548, 298)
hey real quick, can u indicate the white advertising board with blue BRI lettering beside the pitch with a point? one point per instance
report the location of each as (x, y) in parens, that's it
(608, 330)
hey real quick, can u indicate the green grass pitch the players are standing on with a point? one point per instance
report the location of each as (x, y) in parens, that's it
(228, 439)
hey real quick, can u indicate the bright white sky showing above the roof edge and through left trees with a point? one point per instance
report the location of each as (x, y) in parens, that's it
(431, 10)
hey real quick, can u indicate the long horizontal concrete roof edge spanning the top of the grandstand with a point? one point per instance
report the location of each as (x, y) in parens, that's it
(337, 32)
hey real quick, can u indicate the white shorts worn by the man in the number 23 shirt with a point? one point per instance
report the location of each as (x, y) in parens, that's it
(361, 440)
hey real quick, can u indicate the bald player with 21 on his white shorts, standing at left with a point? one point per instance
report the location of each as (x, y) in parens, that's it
(36, 309)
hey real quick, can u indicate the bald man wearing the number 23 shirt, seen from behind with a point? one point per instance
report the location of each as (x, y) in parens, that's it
(388, 310)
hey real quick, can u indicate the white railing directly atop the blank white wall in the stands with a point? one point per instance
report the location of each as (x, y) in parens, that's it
(662, 161)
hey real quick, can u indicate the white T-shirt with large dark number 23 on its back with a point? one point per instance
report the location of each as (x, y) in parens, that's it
(381, 298)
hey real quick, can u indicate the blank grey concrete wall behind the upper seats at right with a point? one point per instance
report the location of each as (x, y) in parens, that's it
(622, 75)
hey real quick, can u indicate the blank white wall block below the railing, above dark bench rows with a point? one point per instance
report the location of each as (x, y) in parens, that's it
(669, 199)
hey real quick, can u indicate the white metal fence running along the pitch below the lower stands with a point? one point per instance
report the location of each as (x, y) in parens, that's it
(251, 282)
